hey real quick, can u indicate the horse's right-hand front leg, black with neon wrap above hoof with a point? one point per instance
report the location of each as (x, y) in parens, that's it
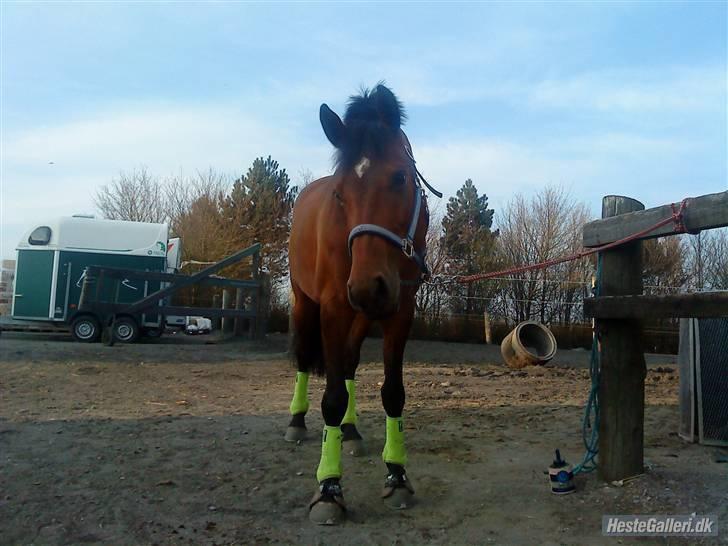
(398, 490)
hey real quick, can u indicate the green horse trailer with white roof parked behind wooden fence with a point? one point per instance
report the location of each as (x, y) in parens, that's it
(52, 259)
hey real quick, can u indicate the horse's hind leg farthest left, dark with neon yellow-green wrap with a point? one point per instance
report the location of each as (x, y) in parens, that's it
(306, 346)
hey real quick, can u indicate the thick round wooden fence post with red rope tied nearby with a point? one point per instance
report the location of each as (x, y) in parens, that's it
(622, 379)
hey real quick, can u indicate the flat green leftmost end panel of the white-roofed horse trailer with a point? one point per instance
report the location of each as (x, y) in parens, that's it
(33, 283)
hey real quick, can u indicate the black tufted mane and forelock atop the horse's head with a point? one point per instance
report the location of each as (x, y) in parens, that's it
(372, 121)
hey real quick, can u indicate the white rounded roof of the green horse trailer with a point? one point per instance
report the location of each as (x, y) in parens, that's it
(94, 235)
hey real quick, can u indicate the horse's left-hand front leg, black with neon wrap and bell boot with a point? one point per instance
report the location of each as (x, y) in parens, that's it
(327, 506)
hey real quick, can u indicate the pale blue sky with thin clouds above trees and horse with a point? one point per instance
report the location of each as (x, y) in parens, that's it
(608, 97)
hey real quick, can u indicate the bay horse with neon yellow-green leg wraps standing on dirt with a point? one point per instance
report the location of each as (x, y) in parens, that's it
(357, 255)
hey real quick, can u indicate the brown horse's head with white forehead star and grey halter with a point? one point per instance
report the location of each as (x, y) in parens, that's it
(376, 187)
